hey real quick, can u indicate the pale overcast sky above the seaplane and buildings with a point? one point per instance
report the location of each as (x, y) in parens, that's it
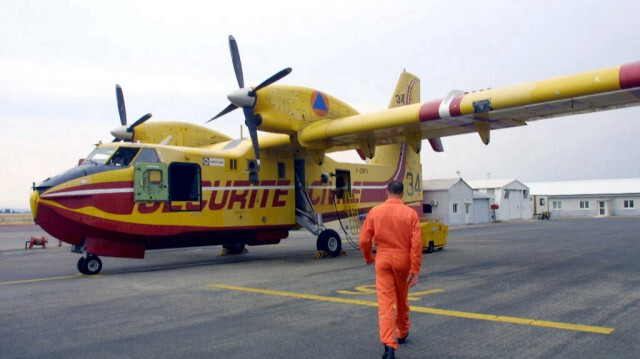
(60, 61)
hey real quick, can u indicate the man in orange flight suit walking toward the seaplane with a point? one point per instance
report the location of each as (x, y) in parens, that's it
(395, 228)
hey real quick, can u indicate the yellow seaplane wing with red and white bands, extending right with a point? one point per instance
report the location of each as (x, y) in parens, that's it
(481, 111)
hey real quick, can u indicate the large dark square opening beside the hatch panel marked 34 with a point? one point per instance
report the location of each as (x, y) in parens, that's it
(184, 182)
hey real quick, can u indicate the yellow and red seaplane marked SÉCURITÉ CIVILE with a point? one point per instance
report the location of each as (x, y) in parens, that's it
(175, 184)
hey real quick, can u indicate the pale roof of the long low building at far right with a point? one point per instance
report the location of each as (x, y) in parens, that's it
(590, 187)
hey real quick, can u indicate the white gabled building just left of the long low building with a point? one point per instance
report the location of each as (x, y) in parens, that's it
(511, 196)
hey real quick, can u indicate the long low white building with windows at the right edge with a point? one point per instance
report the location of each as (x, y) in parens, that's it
(594, 198)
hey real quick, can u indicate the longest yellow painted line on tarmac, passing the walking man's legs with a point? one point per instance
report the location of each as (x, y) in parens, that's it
(449, 313)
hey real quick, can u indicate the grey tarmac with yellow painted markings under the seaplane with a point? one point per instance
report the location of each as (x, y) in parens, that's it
(564, 288)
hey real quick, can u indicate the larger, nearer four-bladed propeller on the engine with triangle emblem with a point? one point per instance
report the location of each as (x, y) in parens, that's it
(245, 97)
